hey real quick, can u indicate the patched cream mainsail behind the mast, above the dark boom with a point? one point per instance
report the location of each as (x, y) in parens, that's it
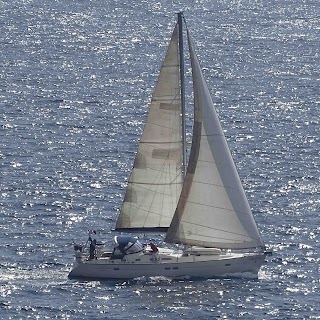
(155, 183)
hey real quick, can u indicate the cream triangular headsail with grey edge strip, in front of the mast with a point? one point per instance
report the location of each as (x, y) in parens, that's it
(213, 210)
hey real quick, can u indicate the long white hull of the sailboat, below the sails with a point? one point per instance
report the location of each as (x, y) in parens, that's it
(169, 264)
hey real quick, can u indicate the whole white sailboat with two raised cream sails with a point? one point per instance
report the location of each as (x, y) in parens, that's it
(199, 203)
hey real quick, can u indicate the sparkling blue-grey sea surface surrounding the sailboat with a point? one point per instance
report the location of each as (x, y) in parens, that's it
(75, 81)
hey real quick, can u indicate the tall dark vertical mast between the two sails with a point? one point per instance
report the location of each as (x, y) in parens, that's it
(182, 93)
